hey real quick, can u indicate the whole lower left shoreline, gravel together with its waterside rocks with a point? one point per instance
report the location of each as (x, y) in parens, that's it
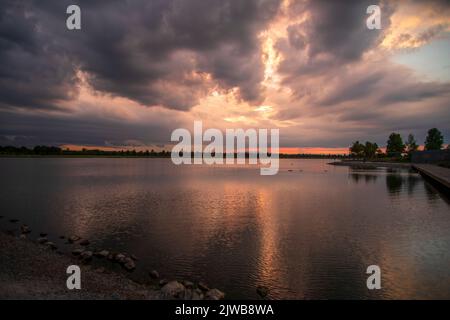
(34, 268)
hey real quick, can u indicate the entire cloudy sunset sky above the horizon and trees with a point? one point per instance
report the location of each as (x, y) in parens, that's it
(137, 70)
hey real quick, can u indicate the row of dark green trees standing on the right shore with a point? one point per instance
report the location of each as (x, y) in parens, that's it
(395, 147)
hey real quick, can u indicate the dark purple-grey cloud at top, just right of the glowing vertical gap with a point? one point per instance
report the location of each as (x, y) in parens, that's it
(333, 34)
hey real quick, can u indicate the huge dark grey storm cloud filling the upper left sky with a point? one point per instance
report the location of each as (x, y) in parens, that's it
(153, 52)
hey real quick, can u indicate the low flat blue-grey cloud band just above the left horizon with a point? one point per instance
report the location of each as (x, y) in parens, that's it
(34, 129)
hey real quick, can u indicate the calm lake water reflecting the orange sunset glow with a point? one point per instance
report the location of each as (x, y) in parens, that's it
(306, 233)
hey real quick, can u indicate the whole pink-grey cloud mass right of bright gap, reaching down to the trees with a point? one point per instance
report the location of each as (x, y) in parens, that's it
(342, 82)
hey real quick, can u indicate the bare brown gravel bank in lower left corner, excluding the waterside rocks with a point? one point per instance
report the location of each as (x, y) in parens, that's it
(31, 271)
